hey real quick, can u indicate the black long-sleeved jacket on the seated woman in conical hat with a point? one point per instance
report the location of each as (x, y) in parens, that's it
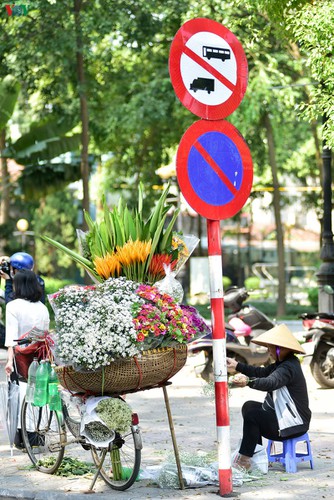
(287, 373)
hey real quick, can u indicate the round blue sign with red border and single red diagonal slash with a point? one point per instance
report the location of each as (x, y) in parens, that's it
(214, 169)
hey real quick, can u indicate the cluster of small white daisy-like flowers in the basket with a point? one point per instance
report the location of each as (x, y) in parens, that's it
(94, 325)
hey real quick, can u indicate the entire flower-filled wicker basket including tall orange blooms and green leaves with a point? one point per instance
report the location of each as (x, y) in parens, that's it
(124, 332)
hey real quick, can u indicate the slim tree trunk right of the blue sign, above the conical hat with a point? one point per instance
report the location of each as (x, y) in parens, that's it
(277, 210)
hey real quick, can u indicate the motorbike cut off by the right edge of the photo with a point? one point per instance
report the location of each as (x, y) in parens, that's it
(319, 343)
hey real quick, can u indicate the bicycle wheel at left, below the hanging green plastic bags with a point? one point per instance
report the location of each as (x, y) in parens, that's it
(44, 436)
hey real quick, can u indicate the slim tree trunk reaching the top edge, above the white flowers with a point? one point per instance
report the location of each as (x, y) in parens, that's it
(83, 106)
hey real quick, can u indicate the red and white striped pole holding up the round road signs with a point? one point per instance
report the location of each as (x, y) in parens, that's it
(219, 356)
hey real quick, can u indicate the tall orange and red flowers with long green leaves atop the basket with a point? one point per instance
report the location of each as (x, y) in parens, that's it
(124, 243)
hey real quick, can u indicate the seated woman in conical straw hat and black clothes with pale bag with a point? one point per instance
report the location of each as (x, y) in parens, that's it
(285, 412)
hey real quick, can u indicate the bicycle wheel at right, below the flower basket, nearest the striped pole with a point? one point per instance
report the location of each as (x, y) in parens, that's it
(121, 465)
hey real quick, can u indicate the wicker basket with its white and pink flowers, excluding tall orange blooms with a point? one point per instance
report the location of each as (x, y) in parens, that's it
(120, 336)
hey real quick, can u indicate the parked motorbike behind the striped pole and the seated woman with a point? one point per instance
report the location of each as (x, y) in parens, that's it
(243, 324)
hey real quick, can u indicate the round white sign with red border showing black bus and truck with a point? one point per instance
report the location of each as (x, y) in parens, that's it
(208, 68)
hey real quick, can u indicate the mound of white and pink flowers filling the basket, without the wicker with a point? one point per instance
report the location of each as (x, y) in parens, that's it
(116, 319)
